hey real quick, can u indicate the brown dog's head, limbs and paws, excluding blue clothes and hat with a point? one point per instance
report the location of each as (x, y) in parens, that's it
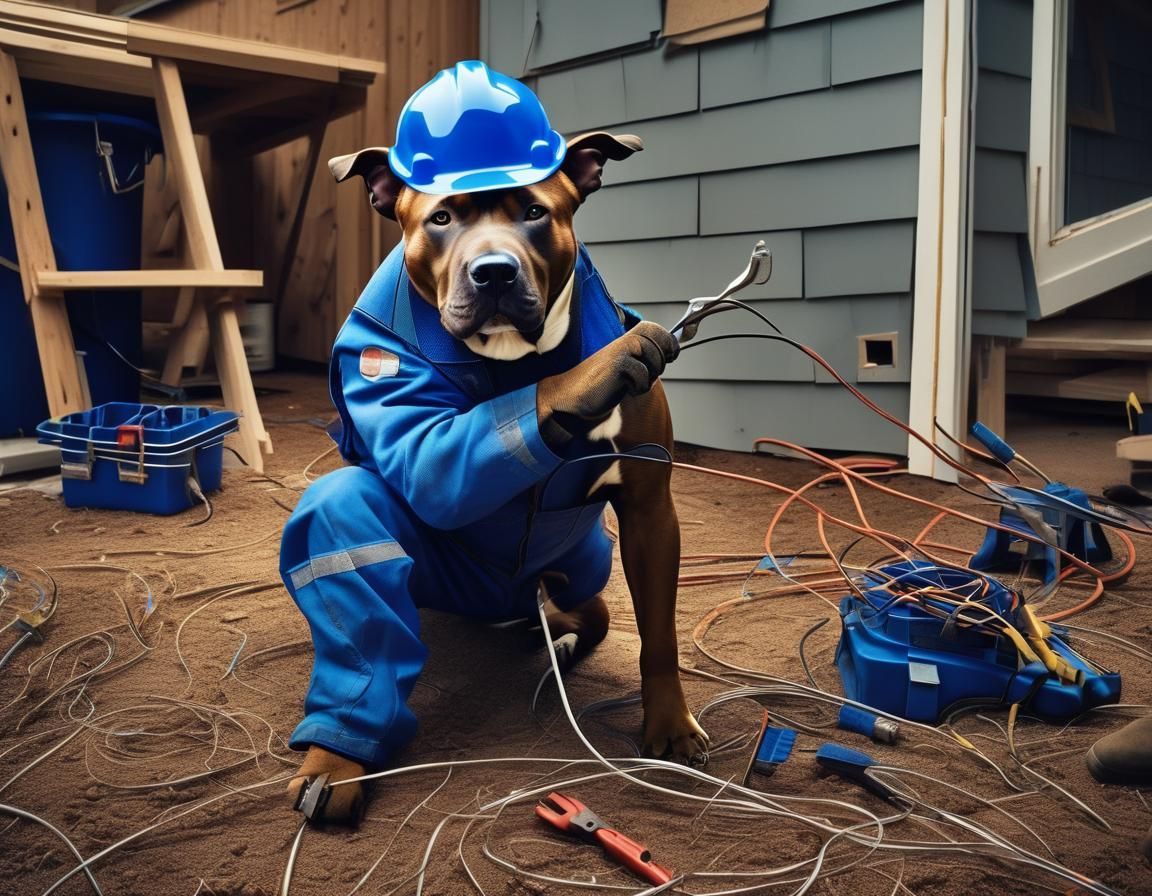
(498, 265)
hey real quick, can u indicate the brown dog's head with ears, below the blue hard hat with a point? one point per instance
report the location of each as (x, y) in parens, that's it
(497, 264)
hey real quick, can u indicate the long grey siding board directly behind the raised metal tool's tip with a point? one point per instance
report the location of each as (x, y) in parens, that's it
(686, 268)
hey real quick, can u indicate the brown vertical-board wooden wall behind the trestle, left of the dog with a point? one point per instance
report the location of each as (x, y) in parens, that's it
(343, 241)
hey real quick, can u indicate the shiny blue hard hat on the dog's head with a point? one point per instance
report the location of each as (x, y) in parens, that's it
(472, 128)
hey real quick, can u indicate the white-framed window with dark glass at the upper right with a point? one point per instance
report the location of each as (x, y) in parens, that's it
(1090, 185)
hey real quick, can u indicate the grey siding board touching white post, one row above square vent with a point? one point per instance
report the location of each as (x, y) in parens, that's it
(859, 260)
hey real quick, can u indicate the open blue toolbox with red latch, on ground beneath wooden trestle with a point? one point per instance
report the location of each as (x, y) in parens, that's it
(126, 457)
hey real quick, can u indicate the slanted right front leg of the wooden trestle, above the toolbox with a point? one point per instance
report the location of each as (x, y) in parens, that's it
(229, 347)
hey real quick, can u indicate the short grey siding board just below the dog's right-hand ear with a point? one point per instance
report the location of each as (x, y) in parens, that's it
(641, 211)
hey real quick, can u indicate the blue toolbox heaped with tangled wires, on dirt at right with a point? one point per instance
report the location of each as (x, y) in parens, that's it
(921, 641)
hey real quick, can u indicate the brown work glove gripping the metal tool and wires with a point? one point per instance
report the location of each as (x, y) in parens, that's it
(577, 401)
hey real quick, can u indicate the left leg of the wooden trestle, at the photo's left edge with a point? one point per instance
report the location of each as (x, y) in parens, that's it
(34, 248)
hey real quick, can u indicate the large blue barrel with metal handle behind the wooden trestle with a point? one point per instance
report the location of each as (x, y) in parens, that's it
(95, 222)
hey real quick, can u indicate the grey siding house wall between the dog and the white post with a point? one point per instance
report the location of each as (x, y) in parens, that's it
(804, 135)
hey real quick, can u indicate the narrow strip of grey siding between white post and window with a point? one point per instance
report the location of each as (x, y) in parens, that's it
(1001, 302)
